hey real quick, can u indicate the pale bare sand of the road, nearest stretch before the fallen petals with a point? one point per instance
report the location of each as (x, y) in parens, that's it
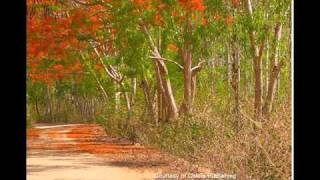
(80, 167)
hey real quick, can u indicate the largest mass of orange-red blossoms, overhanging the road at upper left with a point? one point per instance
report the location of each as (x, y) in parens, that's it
(54, 38)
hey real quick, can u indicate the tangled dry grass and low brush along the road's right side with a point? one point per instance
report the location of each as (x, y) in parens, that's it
(209, 139)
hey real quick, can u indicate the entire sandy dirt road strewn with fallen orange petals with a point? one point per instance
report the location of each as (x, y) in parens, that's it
(85, 152)
